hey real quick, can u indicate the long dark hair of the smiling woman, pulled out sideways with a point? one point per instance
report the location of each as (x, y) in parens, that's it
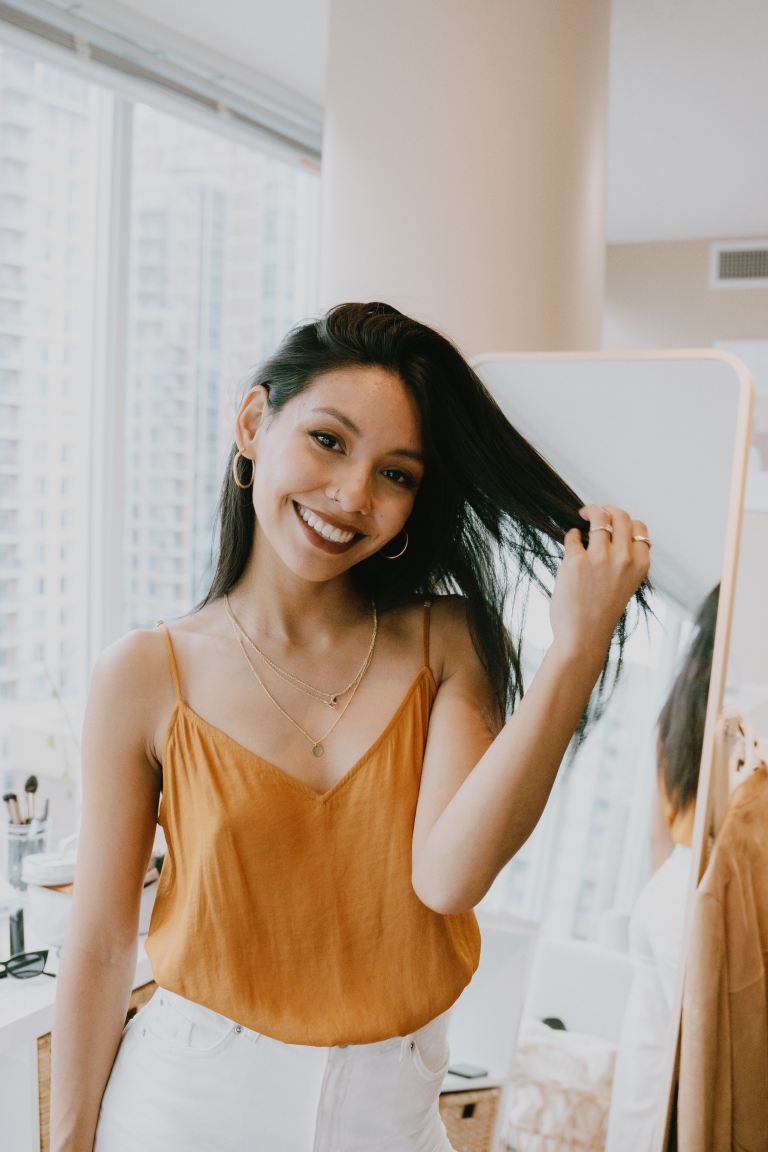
(490, 517)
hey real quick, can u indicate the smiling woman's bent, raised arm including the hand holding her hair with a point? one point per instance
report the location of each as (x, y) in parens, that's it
(481, 798)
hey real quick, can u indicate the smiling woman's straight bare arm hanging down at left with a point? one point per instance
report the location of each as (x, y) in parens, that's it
(98, 960)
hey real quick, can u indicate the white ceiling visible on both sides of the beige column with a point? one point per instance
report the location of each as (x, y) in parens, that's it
(689, 101)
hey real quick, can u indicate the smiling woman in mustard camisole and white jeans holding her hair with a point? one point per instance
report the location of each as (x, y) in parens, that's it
(328, 732)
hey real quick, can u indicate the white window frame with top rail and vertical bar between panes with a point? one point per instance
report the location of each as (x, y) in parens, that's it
(119, 94)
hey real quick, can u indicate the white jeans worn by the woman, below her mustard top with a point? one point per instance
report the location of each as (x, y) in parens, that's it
(188, 1080)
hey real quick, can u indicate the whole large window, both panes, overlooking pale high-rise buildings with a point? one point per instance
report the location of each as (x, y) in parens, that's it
(200, 315)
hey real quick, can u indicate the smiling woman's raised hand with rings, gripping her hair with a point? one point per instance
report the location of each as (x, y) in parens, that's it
(595, 585)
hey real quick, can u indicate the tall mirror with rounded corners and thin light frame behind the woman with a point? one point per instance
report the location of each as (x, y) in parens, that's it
(574, 1013)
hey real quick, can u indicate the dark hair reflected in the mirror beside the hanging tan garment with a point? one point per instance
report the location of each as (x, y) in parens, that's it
(681, 721)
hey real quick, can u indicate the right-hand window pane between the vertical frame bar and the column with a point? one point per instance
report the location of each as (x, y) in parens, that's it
(193, 252)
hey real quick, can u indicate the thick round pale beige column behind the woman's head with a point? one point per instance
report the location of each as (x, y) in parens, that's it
(465, 166)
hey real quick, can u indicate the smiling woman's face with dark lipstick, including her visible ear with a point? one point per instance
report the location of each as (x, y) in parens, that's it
(337, 469)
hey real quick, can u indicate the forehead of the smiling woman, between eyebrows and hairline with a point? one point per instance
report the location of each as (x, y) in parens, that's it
(375, 399)
